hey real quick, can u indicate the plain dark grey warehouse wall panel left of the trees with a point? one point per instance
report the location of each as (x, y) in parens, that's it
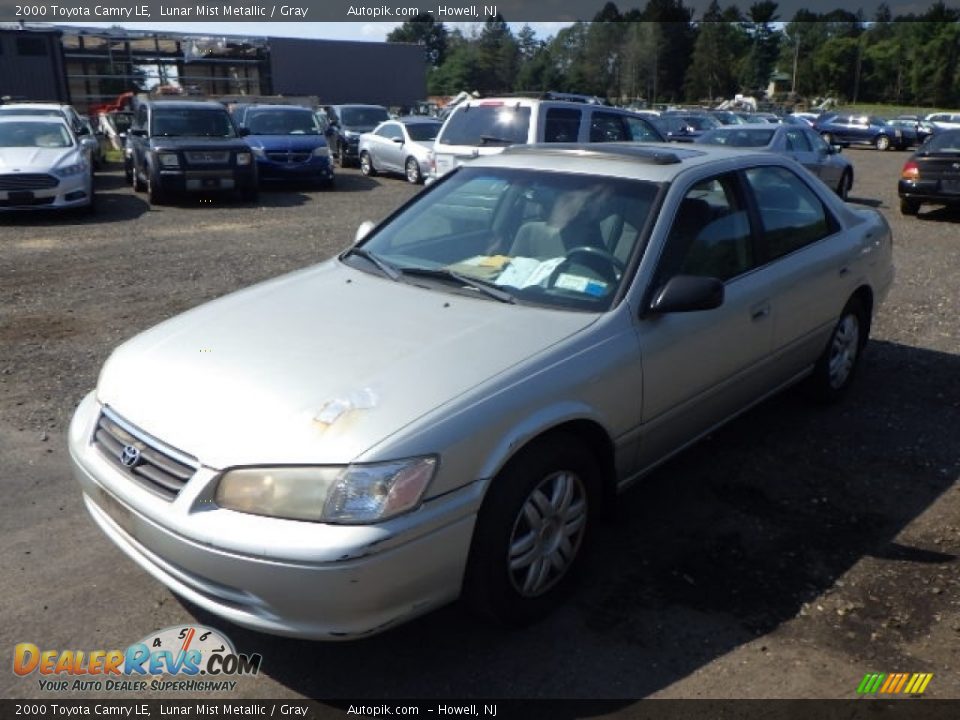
(349, 72)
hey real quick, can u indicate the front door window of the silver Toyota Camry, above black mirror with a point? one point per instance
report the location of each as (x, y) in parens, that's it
(710, 235)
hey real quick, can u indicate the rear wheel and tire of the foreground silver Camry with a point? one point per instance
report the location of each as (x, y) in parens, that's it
(837, 365)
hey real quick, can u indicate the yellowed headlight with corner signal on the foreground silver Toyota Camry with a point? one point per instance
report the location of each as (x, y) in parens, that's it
(352, 494)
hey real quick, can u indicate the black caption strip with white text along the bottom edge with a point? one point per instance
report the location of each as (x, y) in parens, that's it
(865, 708)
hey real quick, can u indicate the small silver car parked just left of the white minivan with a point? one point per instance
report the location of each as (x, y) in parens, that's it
(400, 146)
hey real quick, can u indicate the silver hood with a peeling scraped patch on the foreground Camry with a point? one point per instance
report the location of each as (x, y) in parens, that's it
(318, 366)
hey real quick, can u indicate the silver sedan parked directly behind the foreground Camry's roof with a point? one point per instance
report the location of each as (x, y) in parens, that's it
(801, 143)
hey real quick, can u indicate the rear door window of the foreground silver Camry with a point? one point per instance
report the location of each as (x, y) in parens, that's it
(790, 212)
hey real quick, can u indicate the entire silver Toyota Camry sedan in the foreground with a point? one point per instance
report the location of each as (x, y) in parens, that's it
(509, 349)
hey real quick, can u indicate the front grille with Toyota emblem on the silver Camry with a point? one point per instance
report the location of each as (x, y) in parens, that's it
(160, 469)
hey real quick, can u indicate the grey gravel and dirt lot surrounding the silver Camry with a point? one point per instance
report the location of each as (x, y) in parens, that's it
(785, 556)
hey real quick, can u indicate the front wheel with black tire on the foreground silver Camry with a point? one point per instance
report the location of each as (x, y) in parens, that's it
(516, 572)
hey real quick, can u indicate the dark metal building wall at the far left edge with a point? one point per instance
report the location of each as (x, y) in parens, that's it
(31, 65)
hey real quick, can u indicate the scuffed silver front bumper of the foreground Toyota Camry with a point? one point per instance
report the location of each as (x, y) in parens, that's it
(284, 577)
